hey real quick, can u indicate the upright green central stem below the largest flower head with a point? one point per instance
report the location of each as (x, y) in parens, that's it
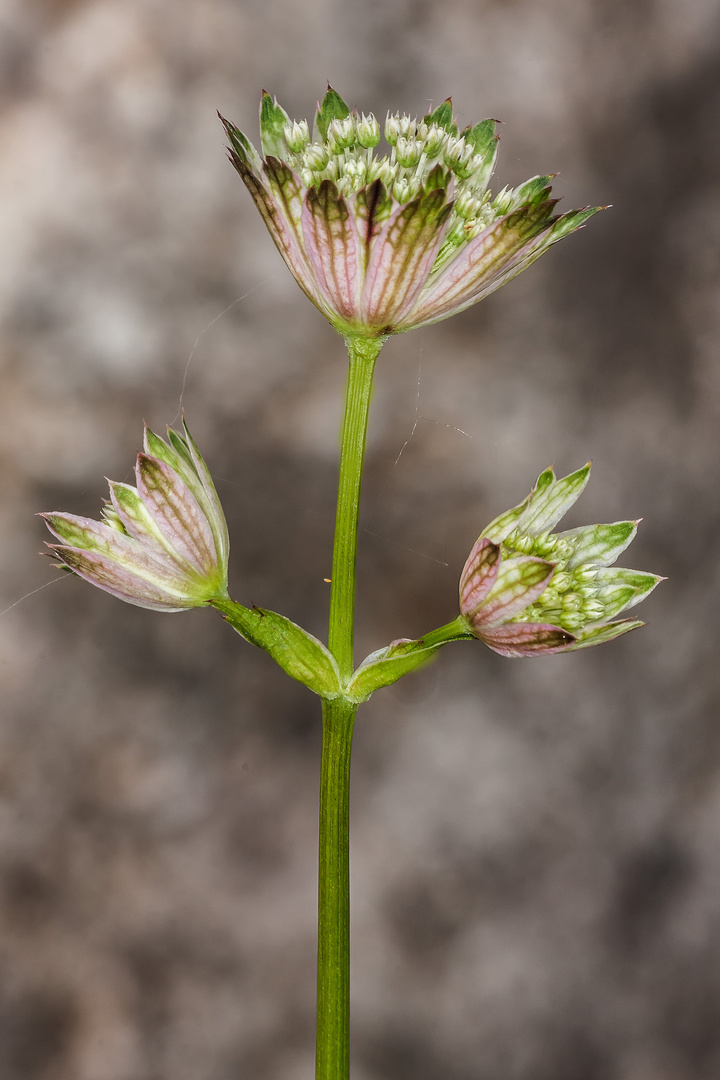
(333, 1055)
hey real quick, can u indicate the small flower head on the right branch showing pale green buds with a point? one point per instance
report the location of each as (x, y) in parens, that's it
(526, 591)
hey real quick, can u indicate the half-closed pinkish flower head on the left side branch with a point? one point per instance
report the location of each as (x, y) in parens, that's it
(162, 545)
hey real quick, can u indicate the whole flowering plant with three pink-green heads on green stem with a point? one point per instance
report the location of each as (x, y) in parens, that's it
(382, 246)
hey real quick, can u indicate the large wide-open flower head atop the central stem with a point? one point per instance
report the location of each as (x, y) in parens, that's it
(386, 241)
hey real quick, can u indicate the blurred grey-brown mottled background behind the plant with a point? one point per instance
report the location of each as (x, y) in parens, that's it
(536, 844)
